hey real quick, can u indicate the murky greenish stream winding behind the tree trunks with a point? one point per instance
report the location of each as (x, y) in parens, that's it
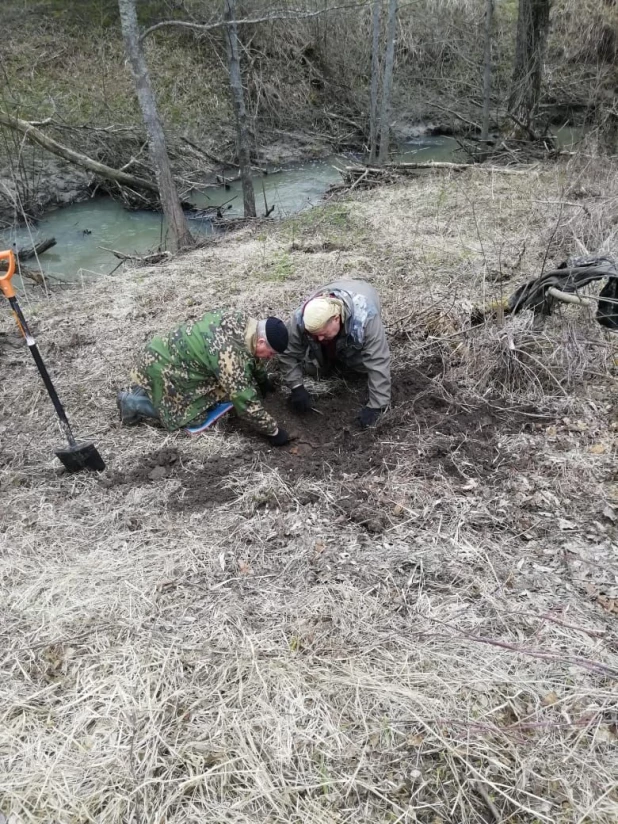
(87, 232)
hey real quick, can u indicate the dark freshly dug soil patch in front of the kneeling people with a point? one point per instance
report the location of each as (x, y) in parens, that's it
(430, 426)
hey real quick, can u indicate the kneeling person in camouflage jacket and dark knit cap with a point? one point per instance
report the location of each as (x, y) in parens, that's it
(180, 377)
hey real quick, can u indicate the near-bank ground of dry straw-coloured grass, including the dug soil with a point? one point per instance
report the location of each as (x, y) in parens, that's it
(416, 623)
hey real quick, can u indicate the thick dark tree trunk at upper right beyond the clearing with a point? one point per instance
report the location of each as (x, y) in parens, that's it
(532, 27)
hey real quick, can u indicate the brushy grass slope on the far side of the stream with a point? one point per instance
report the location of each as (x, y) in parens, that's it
(306, 78)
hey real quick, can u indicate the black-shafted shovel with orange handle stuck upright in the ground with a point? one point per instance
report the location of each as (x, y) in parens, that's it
(75, 456)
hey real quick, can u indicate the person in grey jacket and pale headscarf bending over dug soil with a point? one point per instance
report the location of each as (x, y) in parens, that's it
(339, 325)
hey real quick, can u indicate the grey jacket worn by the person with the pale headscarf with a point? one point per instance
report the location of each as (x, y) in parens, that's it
(362, 345)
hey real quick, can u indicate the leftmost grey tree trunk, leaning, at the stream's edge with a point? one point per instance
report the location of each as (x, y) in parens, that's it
(180, 236)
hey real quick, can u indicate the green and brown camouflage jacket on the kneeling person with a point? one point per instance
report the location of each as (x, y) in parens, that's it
(202, 363)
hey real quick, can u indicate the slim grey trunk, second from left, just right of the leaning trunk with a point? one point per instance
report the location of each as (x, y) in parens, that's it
(238, 96)
